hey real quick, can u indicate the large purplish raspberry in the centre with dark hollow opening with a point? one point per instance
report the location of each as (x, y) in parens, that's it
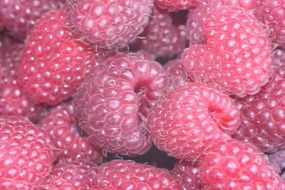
(112, 103)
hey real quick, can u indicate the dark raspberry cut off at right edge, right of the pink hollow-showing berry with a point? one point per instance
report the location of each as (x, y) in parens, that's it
(262, 115)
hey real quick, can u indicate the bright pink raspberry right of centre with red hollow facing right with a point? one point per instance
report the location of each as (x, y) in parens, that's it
(189, 119)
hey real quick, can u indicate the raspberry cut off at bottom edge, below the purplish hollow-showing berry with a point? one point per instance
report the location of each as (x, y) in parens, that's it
(126, 174)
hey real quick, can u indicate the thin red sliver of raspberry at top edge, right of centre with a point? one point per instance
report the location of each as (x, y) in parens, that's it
(176, 5)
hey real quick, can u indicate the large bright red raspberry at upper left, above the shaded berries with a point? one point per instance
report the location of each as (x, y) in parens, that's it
(53, 63)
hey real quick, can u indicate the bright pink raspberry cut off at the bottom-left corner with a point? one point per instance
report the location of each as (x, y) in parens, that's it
(26, 154)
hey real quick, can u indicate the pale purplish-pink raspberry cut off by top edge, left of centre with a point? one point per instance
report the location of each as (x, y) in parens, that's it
(109, 23)
